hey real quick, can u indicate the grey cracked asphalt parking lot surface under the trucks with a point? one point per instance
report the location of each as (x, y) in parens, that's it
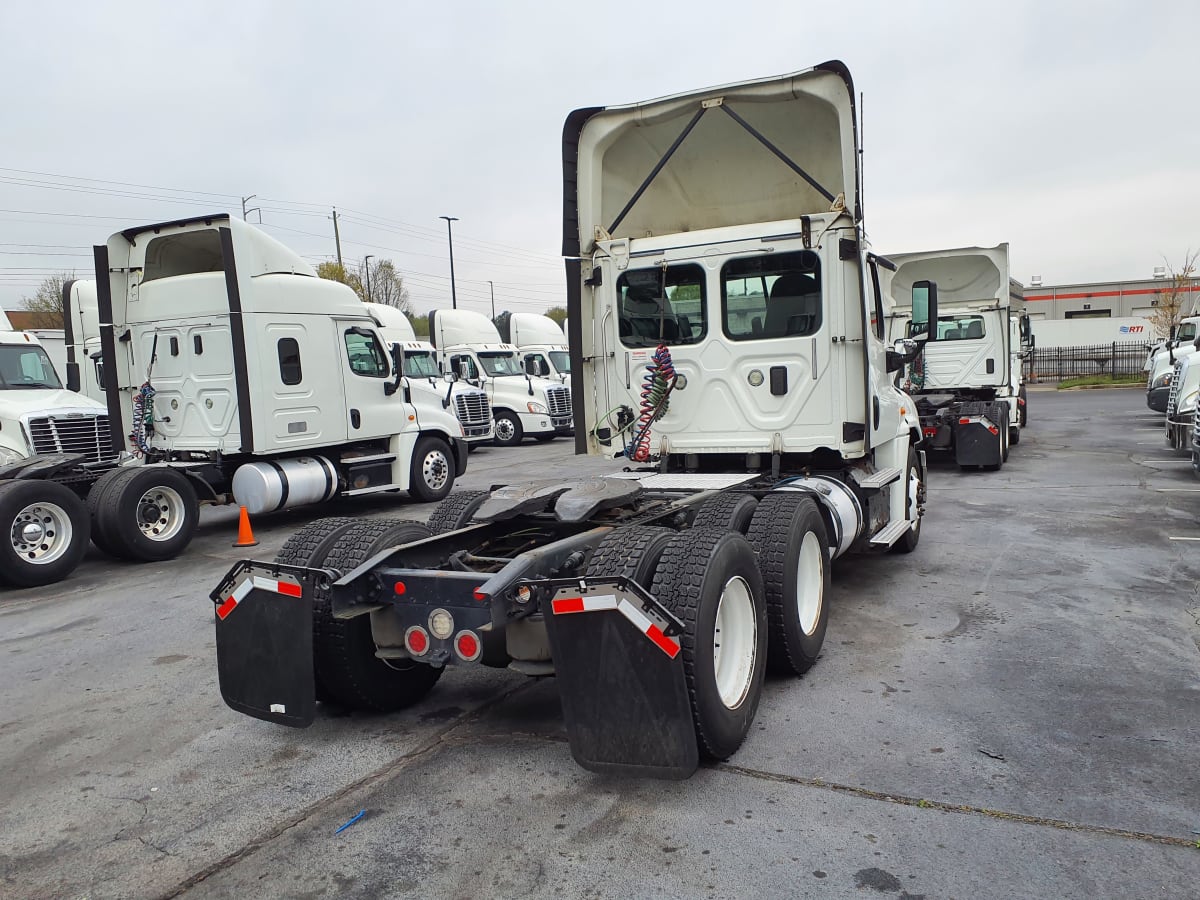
(1012, 711)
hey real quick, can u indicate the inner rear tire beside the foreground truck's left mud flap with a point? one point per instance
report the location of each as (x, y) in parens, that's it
(344, 650)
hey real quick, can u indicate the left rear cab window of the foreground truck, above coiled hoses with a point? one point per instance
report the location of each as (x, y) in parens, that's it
(657, 307)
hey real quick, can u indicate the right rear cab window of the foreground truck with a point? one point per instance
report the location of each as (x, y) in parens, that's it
(776, 296)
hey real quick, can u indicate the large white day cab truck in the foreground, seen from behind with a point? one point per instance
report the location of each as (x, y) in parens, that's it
(734, 353)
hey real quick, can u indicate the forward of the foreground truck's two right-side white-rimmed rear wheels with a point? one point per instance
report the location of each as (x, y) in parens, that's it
(793, 547)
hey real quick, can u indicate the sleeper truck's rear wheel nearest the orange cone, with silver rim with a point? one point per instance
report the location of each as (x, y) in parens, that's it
(148, 514)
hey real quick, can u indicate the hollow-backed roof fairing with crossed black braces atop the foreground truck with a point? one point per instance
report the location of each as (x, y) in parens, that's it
(721, 175)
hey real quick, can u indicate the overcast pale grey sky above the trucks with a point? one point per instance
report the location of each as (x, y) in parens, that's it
(1069, 130)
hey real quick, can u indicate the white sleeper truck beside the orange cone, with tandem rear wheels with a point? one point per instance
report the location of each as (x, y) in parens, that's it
(233, 375)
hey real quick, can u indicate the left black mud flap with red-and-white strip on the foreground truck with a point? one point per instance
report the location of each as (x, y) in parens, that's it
(265, 643)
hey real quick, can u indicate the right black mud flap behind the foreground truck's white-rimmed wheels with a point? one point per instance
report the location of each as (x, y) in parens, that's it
(621, 679)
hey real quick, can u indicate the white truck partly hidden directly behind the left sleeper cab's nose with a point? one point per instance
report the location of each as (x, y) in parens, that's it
(430, 388)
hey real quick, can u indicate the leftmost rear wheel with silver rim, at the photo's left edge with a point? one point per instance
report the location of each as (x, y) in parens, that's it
(45, 532)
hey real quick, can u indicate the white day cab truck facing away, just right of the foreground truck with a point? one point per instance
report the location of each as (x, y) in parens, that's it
(968, 385)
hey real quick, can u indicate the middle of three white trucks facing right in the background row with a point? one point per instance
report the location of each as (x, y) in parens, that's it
(524, 406)
